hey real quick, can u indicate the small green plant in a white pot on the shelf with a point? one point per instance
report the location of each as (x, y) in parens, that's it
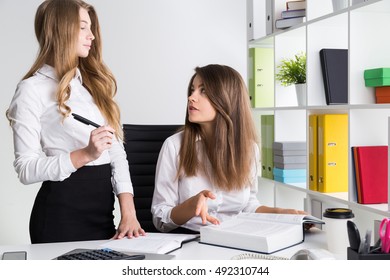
(293, 72)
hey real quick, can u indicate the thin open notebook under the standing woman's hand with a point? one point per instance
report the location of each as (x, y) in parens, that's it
(157, 243)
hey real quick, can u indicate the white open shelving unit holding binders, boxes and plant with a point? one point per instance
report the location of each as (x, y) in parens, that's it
(360, 28)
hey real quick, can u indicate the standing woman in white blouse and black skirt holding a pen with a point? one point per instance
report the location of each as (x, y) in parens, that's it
(81, 167)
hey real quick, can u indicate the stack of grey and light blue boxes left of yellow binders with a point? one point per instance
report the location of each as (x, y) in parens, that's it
(290, 162)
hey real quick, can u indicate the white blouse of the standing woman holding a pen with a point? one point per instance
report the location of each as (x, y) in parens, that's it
(43, 141)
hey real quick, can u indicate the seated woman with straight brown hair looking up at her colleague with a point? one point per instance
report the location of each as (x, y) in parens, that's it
(208, 172)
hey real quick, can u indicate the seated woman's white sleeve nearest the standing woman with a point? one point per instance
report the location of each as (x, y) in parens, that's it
(166, 187)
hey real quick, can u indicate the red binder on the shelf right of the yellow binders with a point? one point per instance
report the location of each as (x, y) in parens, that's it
(371, 174)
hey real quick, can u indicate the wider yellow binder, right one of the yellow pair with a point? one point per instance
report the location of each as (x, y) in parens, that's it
(333, 153)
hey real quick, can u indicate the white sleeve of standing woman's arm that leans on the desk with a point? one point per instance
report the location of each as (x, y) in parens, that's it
(121, 180)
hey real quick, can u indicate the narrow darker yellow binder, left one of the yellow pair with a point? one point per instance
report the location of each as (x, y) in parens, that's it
(313, 153)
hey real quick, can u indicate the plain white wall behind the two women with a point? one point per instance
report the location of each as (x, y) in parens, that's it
(152, 46)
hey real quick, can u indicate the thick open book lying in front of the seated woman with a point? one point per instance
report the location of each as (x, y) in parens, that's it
(265, 233)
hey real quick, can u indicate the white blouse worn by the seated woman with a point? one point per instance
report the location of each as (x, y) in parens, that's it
(170, 192)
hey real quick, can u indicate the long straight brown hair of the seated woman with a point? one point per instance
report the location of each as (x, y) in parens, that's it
(230, 152)
